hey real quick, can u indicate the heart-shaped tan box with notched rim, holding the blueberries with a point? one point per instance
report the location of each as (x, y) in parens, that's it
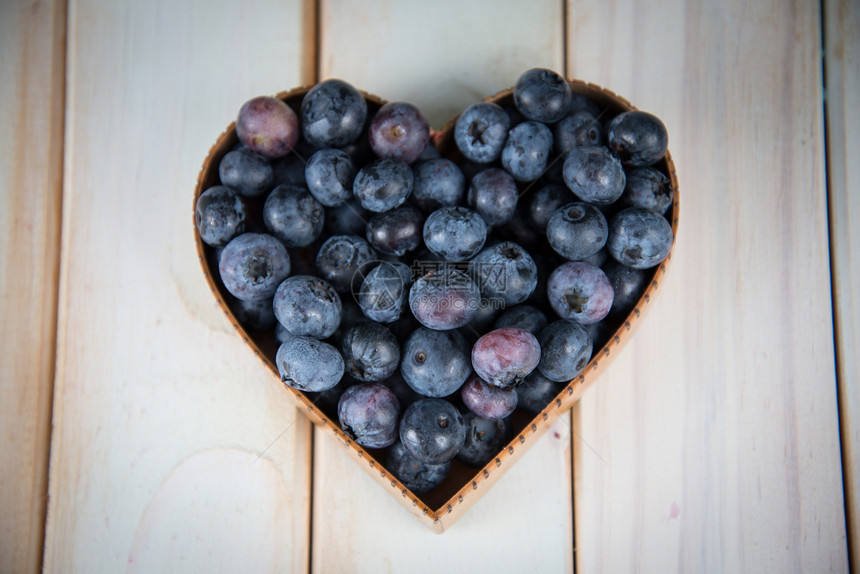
(442, 506)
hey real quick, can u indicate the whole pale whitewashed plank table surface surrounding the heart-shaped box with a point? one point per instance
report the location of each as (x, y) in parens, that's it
(725, 437)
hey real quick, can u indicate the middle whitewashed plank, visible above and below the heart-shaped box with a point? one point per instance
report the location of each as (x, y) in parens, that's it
(447, 67)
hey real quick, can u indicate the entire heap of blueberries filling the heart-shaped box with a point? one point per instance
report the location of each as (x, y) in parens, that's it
(425, 296)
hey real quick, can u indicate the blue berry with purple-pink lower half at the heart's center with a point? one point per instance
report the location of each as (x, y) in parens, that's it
(444, 299)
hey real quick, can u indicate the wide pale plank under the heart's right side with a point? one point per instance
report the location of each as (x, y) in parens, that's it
(712, 444)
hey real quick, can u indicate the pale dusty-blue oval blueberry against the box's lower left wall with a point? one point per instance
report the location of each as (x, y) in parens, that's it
(308, 364)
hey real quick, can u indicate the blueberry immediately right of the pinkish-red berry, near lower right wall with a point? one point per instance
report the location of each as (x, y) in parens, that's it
(566, 349)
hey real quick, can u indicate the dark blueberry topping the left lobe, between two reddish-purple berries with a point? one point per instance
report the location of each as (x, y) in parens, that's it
(333, 113)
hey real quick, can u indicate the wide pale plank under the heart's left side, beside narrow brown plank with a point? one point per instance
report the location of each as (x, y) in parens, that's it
(174, 448)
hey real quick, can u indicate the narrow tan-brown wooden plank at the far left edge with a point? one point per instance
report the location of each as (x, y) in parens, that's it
(32, 50)
